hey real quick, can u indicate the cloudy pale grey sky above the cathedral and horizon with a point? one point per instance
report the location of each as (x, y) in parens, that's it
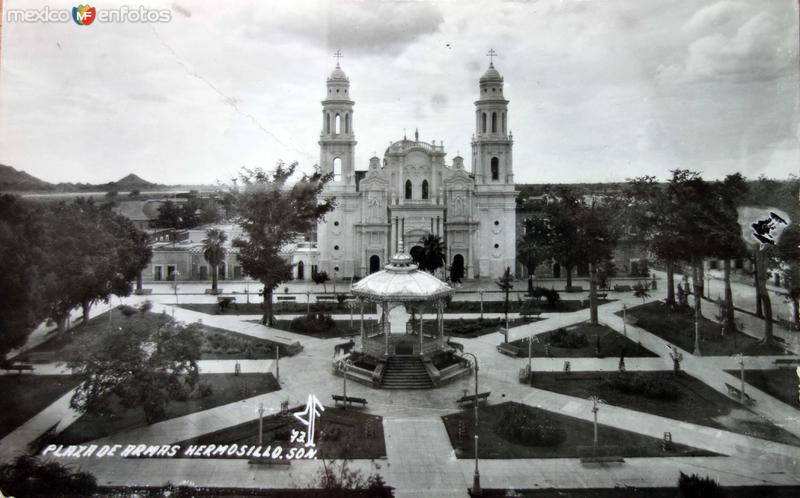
(599, 90)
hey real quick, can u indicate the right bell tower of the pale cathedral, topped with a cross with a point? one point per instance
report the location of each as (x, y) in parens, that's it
(491, 144)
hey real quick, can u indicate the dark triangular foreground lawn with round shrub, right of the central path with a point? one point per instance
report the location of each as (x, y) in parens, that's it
(568, 437)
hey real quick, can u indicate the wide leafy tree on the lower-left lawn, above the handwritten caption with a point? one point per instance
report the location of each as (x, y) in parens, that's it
(143, 364)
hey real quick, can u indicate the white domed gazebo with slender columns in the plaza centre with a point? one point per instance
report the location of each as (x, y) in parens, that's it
(396, 289)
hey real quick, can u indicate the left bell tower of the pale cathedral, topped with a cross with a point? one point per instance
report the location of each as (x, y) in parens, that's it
(337, 140)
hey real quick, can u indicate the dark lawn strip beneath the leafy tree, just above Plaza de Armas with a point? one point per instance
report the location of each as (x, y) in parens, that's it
(225, 388)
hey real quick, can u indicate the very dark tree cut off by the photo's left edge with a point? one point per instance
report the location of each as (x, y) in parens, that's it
(22, 259)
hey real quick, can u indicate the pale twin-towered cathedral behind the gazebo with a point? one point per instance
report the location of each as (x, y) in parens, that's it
(412, 192)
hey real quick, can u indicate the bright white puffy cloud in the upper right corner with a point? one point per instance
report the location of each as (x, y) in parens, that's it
(761, 47)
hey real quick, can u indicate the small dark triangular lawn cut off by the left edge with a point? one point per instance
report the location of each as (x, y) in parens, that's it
(26, 395)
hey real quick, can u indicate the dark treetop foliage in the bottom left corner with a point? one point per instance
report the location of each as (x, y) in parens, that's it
(32, 476)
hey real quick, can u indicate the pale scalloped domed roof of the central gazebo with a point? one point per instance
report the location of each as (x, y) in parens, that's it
(401, 281)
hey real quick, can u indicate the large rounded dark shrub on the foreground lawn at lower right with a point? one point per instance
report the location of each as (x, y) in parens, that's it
(521, 426)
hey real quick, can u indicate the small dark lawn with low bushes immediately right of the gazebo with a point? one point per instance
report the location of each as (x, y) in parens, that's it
(581, 341)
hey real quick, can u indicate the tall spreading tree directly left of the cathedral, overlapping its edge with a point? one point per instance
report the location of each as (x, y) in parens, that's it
(272, 213)
